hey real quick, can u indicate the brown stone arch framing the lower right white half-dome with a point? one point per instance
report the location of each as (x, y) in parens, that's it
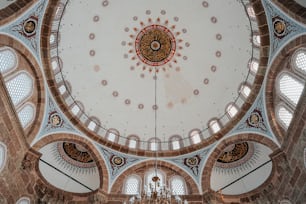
(232, 140)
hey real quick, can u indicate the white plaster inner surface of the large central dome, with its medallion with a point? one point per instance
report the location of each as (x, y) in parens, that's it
(210, 45)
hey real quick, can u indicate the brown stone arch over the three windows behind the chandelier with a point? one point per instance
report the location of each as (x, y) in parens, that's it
(168, 168)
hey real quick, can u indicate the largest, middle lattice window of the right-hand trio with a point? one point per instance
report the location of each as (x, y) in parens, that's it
(290, 88)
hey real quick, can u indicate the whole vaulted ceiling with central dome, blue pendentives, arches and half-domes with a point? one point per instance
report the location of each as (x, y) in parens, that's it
(118, 87)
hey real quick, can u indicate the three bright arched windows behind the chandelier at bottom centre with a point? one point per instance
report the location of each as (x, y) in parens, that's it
(134, 184)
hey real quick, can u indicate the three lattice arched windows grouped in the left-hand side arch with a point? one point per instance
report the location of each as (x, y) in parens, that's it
(19, 84)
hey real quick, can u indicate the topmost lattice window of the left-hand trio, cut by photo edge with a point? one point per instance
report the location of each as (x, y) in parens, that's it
(8, 60)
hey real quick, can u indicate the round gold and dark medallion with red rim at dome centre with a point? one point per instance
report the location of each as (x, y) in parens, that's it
(155, 45)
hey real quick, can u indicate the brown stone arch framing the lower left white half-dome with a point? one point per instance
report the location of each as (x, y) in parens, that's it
(102, 168)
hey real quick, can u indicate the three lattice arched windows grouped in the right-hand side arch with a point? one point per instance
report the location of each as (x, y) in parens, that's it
(289, 86)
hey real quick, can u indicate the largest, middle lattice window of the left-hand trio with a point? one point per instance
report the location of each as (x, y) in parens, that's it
(20, 87)
